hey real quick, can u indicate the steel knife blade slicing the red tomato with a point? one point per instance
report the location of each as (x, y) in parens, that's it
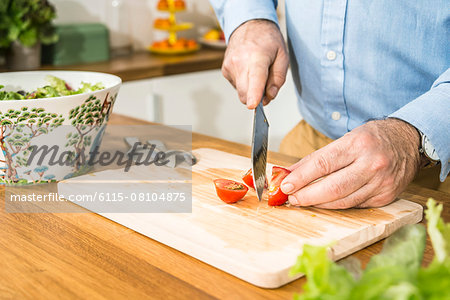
(259, 149)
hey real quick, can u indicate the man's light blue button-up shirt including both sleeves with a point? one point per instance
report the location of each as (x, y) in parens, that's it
(355, 60)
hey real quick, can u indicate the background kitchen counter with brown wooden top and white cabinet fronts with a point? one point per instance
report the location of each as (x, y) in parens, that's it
(191, 90)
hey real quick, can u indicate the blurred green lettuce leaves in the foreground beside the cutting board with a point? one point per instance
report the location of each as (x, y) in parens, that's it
(395, 273)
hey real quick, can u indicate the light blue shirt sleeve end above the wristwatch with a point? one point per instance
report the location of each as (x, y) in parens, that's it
(430, 113)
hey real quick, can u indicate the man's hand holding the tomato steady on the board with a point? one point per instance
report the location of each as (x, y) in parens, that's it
(368, 167)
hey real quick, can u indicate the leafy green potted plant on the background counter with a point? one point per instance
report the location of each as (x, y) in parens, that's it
(24, 26)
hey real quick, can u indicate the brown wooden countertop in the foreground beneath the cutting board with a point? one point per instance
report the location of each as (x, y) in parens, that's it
(72, 256)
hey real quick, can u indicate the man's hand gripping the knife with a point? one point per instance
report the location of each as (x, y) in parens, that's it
(256, 60)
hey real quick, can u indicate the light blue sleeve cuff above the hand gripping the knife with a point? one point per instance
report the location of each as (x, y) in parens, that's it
(232, 13)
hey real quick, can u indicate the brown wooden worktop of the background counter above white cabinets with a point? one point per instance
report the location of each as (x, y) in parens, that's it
(142, 65)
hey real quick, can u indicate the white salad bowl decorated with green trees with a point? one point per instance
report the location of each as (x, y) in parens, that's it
(74, 124)
